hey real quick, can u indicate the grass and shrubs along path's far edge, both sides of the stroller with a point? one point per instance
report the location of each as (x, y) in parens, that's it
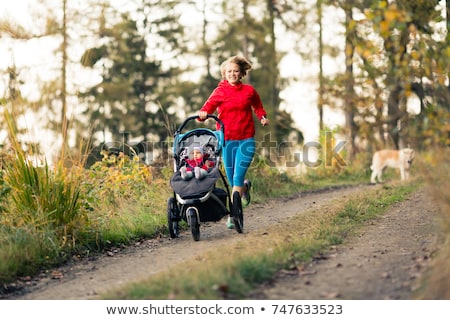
(49, 215)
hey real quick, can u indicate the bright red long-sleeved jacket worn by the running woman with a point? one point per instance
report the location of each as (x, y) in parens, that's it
(234, 105)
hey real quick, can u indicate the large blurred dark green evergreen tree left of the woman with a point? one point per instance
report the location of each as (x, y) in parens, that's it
(136, 91)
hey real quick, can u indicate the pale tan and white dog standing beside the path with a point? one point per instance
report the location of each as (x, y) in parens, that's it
(382, 159)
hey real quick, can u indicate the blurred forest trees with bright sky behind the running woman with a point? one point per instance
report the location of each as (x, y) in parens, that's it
(130, 71)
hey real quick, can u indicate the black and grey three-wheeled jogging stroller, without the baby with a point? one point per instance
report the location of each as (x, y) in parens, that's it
(195, 201)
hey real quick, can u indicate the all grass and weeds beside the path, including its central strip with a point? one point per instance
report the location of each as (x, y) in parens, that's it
(50, 215)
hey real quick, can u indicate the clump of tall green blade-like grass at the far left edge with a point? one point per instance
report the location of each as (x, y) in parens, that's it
(41, 197)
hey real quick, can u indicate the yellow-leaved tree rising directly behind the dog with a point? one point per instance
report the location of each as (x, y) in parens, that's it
(412, 57)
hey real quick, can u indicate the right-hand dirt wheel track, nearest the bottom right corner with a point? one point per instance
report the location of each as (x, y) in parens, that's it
(385, 261)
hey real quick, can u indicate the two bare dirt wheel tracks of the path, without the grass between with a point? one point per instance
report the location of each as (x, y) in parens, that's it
(382, 263)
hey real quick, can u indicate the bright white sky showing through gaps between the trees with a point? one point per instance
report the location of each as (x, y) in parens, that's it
(36, 61)
